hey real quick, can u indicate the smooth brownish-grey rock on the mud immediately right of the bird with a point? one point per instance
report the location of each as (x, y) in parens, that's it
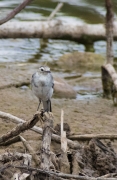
(62, 89)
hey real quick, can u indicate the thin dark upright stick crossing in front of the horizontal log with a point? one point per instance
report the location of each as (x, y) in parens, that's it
(109, 31)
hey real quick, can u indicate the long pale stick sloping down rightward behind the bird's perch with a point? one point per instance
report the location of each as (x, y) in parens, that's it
(55, 137)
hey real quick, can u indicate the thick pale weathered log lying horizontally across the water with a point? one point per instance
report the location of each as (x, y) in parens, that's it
(55, 29)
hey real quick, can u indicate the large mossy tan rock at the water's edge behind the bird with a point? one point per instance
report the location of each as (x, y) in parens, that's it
(78, 61)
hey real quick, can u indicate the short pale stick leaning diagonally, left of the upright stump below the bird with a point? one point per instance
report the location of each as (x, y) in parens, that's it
(31, 151)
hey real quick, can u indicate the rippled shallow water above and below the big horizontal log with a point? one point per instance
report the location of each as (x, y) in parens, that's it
(37, 50)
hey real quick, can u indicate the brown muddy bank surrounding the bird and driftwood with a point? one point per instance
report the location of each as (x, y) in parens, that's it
(90, 114)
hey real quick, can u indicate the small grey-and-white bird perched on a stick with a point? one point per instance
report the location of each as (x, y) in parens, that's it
(42, 84)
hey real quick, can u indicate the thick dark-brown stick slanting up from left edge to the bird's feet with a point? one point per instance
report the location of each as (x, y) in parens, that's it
(20, 128)
